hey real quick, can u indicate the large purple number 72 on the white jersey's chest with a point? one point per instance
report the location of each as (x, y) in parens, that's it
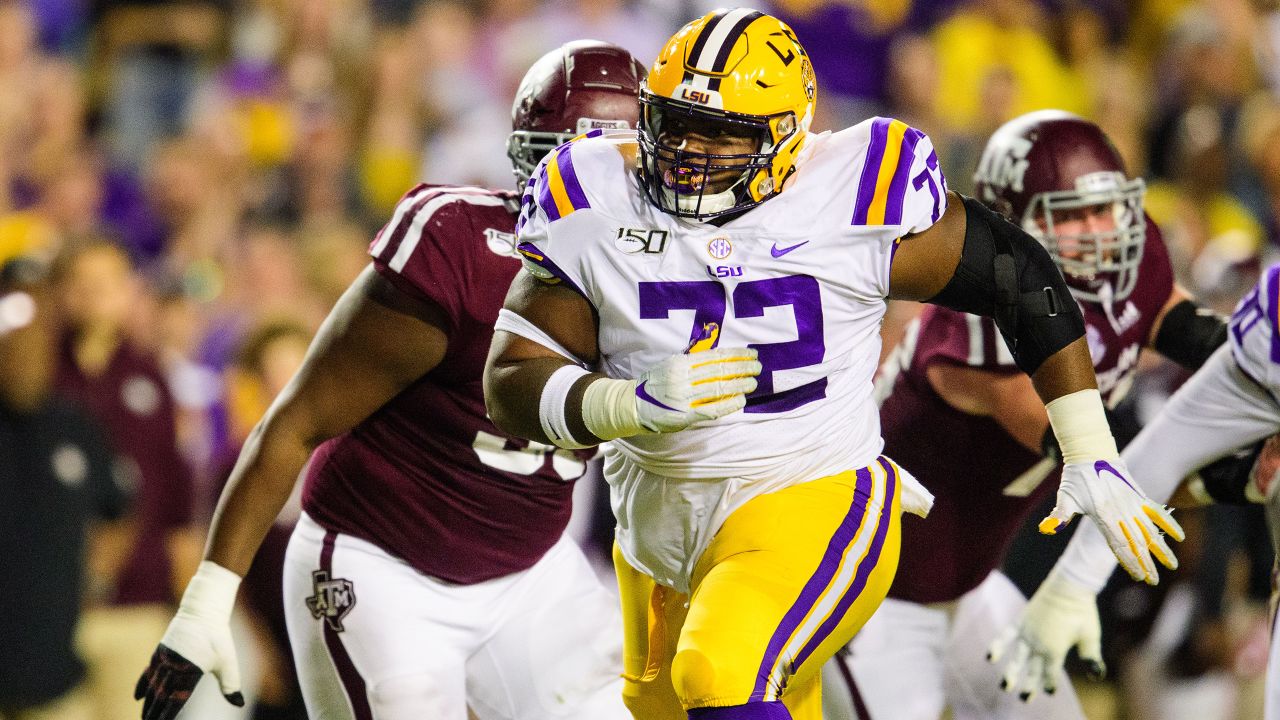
(707, 300)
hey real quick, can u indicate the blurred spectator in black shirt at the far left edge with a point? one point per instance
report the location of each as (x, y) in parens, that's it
(56, 482)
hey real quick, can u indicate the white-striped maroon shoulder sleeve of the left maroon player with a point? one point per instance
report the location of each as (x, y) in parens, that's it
(426, 249)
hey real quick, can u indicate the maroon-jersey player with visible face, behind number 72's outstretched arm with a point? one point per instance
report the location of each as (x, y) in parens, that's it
(954, 381)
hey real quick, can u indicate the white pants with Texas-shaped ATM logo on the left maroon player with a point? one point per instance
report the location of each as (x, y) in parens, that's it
(376, 640)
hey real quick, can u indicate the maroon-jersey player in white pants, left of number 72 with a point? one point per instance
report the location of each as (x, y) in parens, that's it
(429, 573)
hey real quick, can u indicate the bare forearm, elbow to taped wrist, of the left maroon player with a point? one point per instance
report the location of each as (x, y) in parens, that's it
(259, 487)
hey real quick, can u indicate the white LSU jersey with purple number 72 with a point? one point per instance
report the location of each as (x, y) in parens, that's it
(802, 279)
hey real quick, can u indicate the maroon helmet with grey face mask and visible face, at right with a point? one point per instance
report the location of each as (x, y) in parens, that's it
(1050, 170)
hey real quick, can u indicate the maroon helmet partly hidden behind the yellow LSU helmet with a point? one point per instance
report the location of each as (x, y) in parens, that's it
(577, 88)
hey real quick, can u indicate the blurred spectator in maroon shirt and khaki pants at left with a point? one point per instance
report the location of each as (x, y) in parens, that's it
(125, 390)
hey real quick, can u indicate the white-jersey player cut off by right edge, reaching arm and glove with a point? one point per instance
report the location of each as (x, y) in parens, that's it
(1233, 402)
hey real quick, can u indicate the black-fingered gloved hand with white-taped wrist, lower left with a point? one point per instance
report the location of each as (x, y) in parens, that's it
(199, 641)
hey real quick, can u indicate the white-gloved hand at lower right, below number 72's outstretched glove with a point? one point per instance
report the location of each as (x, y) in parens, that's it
(1059, 617)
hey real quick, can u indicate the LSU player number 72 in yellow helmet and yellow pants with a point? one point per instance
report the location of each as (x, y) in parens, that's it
(708, 297)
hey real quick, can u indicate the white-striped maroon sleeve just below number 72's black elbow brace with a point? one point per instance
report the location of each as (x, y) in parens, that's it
(957, 339)
